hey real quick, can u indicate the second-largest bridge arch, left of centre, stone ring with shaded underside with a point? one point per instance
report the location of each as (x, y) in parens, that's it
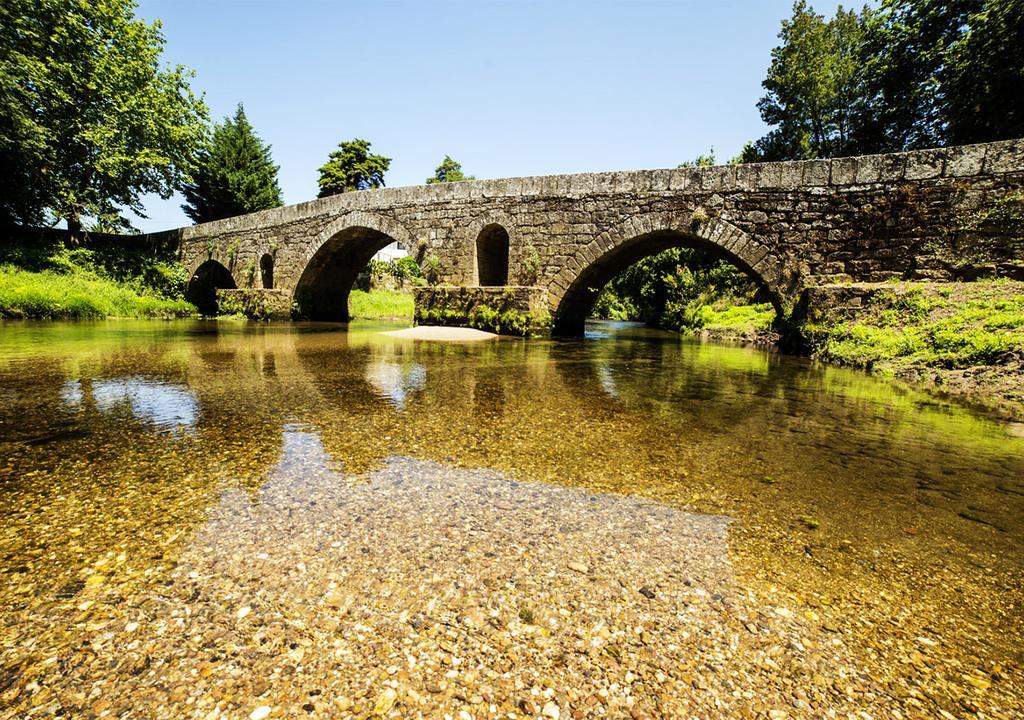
(335, 259)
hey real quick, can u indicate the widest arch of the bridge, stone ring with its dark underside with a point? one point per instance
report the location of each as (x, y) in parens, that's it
(574, 290)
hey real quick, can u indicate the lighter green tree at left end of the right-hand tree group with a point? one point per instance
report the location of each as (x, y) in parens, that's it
(813, 87)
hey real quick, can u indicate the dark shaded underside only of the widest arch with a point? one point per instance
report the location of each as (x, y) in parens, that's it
(579, 301)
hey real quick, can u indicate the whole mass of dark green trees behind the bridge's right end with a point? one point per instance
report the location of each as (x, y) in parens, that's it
(906, 75)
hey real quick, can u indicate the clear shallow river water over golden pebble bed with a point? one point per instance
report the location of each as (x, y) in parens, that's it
(871, 536)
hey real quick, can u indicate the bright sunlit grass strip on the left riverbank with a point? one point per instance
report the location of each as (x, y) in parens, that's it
(76, 295)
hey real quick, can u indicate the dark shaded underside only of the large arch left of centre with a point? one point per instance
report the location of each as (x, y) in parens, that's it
(322, 293)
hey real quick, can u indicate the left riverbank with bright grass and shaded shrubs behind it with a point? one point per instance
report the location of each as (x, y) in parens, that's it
(52, 281)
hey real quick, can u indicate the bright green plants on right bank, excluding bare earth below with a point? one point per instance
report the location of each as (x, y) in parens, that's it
(982, 328)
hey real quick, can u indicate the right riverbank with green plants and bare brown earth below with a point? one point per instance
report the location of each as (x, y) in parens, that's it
(961, 341)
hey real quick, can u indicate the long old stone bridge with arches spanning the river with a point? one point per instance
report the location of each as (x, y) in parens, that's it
(553, 242)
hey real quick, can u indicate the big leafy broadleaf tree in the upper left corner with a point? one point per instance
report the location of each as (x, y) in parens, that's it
(84, 100)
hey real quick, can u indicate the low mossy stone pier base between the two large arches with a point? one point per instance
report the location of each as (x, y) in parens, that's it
(508, 311)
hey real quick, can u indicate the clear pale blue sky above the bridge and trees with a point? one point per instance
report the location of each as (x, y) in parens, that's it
(506, 89)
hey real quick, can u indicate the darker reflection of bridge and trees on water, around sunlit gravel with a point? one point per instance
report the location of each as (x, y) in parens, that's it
(886, 517)
